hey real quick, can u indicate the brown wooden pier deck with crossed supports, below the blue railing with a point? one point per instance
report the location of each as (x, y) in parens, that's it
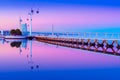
(97, 45)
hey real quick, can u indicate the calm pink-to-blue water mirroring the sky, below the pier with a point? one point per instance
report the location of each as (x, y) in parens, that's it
(32, 60)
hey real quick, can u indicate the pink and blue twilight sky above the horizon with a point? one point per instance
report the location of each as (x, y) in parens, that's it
(65, 15)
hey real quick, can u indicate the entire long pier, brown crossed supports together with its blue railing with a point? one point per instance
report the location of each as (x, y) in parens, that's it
(104, 43)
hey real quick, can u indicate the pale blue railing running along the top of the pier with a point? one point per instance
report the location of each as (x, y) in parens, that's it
(84, 35)
